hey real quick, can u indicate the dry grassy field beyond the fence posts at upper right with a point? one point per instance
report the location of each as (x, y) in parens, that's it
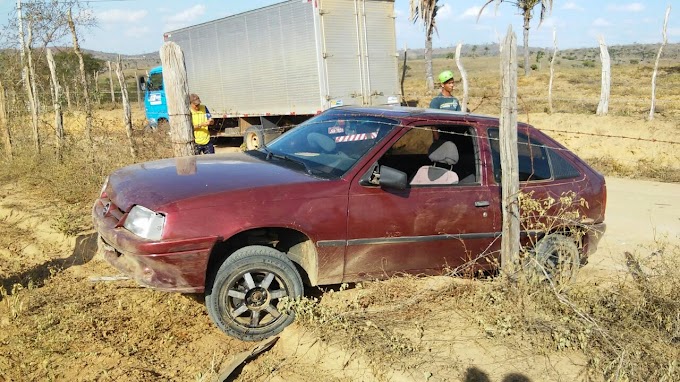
(576, 89)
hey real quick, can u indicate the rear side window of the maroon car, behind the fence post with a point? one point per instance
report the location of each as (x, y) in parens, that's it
(535, 160)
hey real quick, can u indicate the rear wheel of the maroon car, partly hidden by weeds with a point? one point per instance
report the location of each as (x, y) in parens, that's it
(556, 256)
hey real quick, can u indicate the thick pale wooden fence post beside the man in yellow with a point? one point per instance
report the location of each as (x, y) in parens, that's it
(177, 96)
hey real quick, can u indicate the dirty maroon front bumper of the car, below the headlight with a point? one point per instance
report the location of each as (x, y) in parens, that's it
(177, 266)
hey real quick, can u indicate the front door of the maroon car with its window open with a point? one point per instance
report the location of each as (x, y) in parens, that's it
(420, 229)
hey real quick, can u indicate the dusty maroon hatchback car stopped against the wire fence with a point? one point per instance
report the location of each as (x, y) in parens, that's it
(349, 195)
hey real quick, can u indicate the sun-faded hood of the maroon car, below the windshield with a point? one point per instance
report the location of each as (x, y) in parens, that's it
(159, 183)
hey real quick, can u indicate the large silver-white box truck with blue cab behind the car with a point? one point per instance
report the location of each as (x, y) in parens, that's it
(272, 67)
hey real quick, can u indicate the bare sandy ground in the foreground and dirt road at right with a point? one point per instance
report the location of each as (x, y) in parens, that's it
(84, 330)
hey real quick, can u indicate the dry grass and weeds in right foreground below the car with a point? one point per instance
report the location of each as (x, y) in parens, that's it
(628, 331)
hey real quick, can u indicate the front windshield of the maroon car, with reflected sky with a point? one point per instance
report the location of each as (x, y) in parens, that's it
(330, 144)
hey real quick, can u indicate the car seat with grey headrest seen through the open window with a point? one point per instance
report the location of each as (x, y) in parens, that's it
(446, 155)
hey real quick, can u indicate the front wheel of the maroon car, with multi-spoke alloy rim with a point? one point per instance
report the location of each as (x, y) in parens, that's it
(248, 286)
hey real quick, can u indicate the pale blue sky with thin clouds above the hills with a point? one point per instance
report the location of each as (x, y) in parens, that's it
(135, 27)
